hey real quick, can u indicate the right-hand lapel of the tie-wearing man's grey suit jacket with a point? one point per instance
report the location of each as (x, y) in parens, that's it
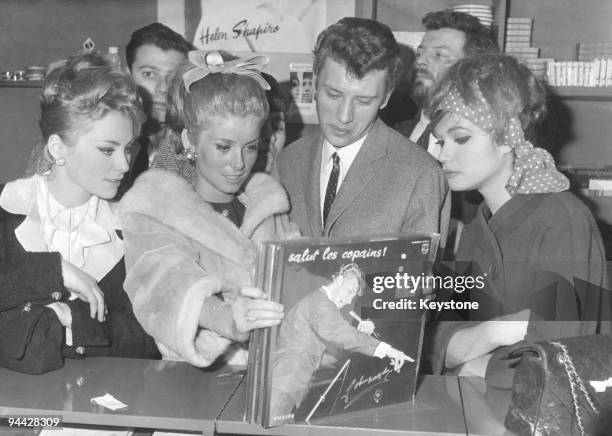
(359, 174)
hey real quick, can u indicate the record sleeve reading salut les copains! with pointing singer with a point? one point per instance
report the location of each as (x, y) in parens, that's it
(352, 334)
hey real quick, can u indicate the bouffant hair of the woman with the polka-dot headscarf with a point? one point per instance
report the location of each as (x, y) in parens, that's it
(508, 87)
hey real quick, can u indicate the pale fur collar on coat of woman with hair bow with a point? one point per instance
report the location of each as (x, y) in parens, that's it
(174, 202)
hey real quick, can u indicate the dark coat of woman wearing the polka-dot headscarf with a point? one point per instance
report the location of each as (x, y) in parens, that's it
(541, 252)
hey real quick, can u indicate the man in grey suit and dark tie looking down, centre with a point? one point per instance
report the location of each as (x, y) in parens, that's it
(356, 176)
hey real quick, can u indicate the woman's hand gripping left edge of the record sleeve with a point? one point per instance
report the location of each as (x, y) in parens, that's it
(250, 310)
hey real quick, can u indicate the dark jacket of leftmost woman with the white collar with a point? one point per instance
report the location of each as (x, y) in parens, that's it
(32, 339)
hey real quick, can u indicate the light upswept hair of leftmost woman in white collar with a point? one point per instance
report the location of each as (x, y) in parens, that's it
(76, 91)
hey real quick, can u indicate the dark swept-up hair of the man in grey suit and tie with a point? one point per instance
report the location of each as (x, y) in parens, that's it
(362, 45)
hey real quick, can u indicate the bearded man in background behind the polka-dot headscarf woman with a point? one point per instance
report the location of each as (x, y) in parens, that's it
(450, 36)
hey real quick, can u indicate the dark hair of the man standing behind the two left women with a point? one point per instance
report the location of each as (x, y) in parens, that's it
(158, 35)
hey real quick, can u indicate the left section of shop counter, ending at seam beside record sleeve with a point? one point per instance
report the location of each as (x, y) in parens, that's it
(159, 394)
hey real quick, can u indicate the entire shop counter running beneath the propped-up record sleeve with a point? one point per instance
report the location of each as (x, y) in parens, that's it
(175, 396)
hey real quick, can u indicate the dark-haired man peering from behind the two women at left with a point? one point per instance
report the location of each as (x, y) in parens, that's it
(153, 55)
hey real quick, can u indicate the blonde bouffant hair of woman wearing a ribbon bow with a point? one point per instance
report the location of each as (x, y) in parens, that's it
(216, 94)
